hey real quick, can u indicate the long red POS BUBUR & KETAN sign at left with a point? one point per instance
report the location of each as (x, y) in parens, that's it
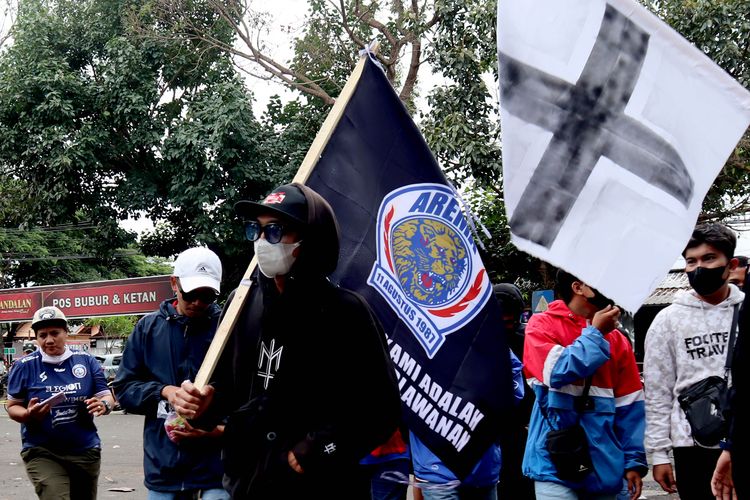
(85, 300)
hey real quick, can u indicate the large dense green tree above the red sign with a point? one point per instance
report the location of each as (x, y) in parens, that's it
(97, 123)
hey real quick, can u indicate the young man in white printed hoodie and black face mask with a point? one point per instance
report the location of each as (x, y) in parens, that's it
(686, 343)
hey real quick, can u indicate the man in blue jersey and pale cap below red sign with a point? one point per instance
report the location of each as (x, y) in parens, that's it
(55, 393)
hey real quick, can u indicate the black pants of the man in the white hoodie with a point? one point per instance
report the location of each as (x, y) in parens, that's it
(693, 468)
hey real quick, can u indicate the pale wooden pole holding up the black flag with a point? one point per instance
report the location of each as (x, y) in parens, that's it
(303, 173)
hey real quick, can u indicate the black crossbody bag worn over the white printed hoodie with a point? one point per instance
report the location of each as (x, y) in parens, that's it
(705, 403)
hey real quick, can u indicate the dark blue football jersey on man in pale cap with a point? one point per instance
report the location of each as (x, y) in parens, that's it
(68, 427)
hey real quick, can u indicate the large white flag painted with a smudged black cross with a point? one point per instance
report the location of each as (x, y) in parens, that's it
(614, 127)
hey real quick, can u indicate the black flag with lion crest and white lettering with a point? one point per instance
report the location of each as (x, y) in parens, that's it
(408, 249)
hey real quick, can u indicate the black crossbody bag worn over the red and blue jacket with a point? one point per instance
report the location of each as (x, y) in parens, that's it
(568, 448)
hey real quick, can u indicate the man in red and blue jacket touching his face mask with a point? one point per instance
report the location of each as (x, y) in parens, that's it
(574, 339)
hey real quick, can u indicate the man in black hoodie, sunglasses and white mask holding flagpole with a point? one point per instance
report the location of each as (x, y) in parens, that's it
(305, 378)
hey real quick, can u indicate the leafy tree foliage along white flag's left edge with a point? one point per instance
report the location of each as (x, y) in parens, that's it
(461, 124)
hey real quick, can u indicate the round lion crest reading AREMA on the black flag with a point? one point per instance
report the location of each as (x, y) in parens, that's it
(427, 267)
